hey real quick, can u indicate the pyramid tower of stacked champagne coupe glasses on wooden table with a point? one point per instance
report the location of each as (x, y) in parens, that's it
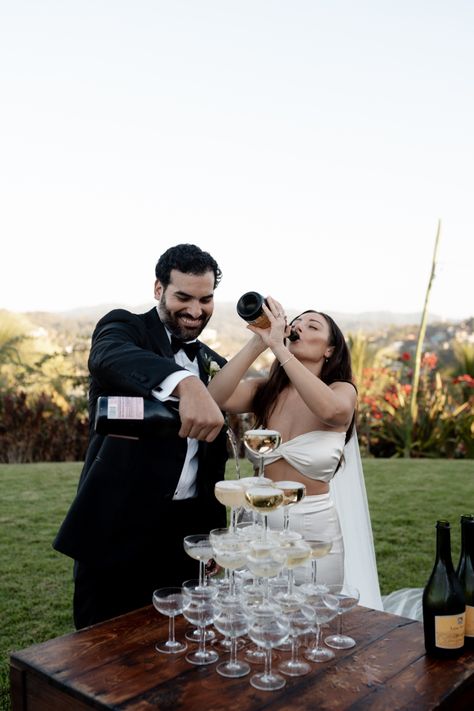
(256, 602)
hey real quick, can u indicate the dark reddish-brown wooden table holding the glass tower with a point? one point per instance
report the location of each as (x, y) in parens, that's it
(113, 665)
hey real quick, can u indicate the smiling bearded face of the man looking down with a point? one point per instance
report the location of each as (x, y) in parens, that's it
(187, 303)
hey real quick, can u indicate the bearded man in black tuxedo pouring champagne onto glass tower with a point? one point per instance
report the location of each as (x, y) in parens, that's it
(137, 499)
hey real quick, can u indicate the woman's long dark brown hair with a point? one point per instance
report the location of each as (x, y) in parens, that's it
(336, 368)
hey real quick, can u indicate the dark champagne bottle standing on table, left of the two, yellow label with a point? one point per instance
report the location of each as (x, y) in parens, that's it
(443, 601)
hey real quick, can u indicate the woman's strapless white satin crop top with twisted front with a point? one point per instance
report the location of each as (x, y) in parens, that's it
(313, 454)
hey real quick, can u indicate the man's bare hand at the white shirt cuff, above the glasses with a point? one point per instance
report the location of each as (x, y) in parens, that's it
(200, 416)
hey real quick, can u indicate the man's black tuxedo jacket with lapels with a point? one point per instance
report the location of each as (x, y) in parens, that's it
(125, 484)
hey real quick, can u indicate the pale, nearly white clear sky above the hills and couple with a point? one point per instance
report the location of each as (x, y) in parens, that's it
(311, 146)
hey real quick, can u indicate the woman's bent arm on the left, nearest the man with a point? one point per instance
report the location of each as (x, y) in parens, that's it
(231, 393)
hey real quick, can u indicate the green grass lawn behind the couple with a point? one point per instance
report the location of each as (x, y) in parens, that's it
(406, 497)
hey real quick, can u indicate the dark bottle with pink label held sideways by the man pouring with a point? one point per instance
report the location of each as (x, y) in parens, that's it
(134, 417)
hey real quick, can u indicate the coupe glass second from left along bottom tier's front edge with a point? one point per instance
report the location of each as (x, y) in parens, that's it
(199, 609)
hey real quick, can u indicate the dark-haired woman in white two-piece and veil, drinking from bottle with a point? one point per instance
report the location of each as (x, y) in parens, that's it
(310, 399)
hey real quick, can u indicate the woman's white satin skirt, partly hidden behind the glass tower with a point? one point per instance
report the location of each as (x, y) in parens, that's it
(316, 516)
